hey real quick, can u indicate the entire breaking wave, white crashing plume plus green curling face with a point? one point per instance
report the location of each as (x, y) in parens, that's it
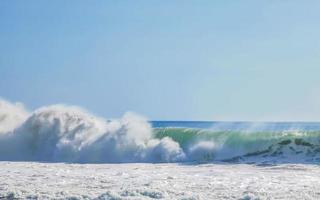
(61, 133)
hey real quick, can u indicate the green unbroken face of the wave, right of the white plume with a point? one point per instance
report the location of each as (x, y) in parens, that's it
(237, 145)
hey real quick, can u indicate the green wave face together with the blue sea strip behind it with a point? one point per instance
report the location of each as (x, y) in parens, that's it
(244, 141)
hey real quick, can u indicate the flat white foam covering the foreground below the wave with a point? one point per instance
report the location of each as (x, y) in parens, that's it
(28, 180)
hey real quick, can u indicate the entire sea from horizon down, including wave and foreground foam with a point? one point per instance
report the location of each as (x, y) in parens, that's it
(65, 152)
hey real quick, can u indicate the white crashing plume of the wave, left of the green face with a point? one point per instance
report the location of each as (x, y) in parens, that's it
(62, 133)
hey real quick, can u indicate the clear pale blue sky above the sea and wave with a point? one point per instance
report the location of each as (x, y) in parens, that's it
(166, 60)
